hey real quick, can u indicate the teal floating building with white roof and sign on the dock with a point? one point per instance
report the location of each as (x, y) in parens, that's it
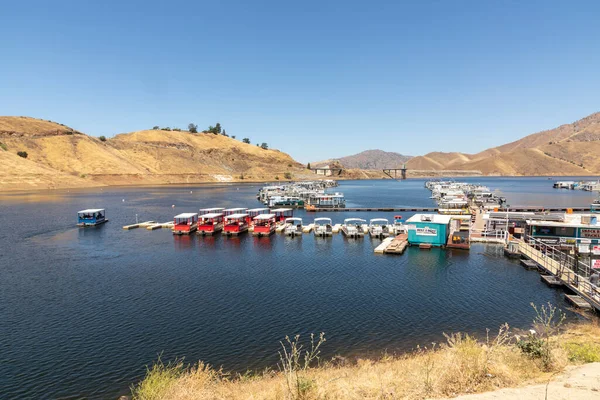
(428, 229)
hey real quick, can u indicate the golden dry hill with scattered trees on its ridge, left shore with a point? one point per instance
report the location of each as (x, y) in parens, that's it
(58, 156)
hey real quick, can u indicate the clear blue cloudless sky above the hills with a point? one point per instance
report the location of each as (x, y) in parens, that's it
(317, 79)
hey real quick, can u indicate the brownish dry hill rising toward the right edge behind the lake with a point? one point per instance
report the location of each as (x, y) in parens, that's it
(570, 149)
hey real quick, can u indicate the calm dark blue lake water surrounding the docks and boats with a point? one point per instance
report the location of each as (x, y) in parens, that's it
(83, 311)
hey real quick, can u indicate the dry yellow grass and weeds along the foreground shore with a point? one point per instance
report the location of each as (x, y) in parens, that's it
(460, 365)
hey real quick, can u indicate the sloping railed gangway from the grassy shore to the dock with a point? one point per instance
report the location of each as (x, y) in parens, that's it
(565, 269)
